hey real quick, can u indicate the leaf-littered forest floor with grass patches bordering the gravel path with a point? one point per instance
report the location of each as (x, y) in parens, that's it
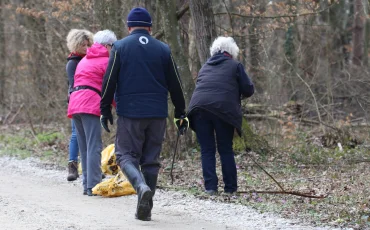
(341, 176)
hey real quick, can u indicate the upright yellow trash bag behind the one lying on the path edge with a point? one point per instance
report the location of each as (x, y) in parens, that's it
(108, 162)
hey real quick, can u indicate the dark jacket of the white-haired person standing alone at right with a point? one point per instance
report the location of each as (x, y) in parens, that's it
(222, 82)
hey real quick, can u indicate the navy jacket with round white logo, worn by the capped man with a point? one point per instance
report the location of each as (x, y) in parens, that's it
(140, 73)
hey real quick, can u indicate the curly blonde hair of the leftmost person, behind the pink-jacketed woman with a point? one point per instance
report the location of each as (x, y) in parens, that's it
(76, 37)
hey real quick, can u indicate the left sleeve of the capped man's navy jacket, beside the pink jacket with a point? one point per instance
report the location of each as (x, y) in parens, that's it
(110, 82)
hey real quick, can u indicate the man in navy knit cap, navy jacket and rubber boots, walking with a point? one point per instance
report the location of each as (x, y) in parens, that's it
(140, 73)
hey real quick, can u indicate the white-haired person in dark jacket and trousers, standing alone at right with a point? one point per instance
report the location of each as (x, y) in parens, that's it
(215, 111)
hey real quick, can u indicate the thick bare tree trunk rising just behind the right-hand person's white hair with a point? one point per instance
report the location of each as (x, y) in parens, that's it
(205, 28)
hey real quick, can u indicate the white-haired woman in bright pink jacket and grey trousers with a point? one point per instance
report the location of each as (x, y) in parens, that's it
(84, 106)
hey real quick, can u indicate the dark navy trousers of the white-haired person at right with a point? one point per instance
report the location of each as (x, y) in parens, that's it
(212, 131)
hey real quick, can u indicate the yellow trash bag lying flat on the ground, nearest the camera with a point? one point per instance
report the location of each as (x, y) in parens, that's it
(116, 186)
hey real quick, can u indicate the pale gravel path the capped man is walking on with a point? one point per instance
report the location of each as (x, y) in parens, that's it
(34, 197)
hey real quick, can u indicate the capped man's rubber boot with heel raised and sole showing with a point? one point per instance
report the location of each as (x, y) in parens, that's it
(143, 191)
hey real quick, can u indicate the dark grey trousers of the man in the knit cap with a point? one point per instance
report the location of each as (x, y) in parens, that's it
(139, 141)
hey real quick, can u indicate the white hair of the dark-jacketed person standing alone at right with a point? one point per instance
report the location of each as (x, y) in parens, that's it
(225, 44)
